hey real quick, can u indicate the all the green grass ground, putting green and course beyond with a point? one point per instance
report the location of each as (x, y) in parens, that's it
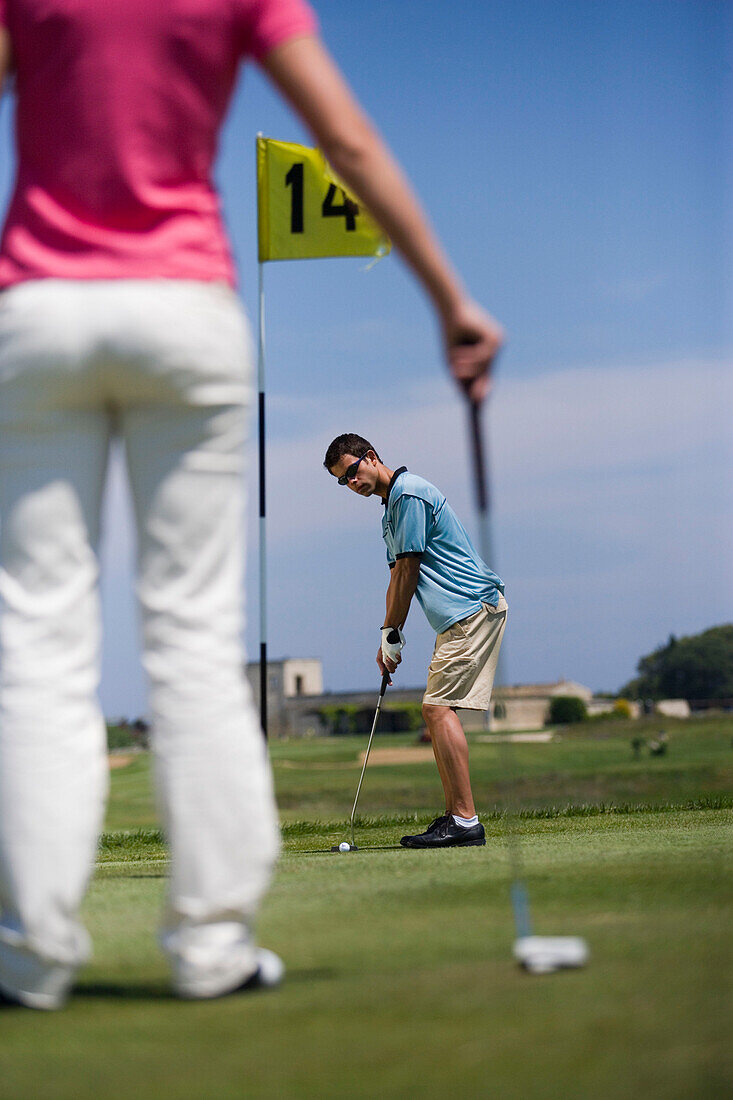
(401, 982)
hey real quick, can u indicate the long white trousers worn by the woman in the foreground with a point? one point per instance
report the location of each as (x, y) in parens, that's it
(167, 366)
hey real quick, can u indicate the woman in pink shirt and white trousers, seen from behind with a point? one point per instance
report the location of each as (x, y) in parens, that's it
(118, 318)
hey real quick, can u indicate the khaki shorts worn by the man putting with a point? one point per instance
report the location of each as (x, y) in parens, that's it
(465, 658)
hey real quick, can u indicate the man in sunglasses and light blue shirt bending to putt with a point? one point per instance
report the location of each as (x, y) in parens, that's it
(431, 556)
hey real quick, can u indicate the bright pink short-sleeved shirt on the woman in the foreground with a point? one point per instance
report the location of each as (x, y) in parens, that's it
(119, 106)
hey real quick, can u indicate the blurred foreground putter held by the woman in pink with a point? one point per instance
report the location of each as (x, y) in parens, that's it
(537, 954)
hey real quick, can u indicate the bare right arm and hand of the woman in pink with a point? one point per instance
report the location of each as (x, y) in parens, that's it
(307, 75)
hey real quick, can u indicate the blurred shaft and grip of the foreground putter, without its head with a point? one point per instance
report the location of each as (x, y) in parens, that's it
(520, 897)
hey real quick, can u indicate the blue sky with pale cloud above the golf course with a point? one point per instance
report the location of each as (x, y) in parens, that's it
(575, 160)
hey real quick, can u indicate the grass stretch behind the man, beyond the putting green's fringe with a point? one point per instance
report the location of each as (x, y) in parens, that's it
(587, 766)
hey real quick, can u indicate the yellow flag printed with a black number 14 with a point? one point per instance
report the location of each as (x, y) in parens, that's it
(304, 211)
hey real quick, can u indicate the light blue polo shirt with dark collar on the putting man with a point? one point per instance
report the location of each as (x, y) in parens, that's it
(454, 581)
